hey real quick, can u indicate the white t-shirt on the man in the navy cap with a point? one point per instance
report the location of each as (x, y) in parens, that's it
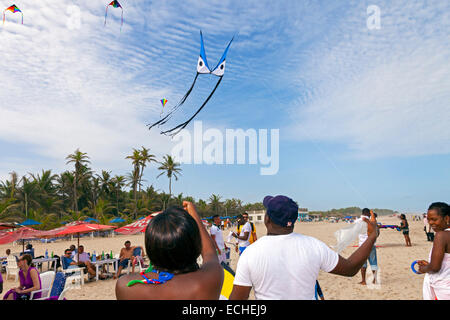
(284, 267)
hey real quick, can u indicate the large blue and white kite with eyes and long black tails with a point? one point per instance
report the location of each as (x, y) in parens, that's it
(202, 68)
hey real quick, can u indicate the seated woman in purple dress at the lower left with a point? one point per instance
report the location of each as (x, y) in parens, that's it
(29, 281)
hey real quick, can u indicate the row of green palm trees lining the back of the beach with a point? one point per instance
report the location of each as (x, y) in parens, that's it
(81, 193)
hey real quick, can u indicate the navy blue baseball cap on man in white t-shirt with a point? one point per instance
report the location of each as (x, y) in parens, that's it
(281, 210)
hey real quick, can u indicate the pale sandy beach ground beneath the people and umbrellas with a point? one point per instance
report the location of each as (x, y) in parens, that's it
(397, 281)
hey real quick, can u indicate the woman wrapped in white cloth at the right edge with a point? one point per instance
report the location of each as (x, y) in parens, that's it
(436, 284)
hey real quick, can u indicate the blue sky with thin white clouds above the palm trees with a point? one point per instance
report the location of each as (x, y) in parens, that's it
(362, 111)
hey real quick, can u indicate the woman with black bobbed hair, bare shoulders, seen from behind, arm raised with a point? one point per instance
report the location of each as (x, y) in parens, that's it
(174, 240)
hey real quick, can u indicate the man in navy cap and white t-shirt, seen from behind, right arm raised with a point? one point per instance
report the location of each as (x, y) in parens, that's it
(285, 265)
